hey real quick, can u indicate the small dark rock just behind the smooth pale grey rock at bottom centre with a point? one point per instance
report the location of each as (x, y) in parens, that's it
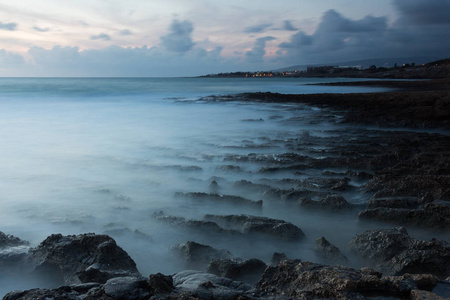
(249, 271)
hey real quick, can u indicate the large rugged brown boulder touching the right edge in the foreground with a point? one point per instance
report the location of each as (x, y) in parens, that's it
(393, 251)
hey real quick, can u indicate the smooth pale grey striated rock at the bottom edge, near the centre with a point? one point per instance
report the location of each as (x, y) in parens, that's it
(208, 286)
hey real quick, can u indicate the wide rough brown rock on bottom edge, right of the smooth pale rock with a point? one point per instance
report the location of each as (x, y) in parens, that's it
(307, 280)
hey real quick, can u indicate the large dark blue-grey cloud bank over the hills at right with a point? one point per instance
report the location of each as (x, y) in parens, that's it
(338, 38)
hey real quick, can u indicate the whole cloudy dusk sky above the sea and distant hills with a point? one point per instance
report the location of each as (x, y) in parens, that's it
(159, 38)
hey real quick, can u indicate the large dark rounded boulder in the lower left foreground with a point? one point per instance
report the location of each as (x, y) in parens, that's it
(82, 258)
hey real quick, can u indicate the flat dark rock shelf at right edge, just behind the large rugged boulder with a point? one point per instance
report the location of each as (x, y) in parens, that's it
(432, 216)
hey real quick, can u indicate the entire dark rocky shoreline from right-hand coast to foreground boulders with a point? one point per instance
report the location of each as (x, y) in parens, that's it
(405, 174)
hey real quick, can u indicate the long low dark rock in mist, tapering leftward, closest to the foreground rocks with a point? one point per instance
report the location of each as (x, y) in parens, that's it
(253, 224)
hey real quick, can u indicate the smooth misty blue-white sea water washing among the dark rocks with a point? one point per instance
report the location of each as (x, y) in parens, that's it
(103, 155)
